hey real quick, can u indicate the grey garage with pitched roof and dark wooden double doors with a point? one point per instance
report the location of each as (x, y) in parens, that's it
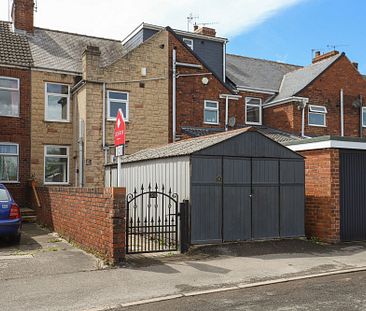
(241, 185)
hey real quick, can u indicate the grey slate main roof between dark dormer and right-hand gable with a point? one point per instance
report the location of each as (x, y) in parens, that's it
(256, 73)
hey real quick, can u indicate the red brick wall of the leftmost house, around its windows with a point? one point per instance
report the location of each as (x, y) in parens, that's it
(17, 130)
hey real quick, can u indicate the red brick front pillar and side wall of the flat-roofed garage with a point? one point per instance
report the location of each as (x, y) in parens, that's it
(322, 208)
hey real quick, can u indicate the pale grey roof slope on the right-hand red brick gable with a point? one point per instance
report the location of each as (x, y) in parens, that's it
(293, 82)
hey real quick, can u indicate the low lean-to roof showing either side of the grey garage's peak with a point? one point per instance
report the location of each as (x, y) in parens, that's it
(274, 134)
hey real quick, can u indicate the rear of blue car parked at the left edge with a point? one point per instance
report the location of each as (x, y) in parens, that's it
(10, 217)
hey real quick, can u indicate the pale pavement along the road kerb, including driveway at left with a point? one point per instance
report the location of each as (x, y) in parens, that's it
(69, 279)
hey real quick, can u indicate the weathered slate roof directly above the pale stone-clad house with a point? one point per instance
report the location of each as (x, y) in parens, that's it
(58, 50)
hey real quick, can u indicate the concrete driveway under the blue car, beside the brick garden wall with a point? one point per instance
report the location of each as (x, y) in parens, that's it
(41, 253)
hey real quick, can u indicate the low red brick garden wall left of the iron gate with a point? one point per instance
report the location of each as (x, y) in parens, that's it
(91, 217)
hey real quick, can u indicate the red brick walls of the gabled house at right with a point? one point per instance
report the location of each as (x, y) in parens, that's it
(325, 91)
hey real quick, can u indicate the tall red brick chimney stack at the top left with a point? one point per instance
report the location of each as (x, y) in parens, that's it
(23, 15)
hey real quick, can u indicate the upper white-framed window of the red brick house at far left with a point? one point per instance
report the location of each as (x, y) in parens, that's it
(9, 97)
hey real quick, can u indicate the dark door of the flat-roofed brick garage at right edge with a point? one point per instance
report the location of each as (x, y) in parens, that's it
(353, 195)
